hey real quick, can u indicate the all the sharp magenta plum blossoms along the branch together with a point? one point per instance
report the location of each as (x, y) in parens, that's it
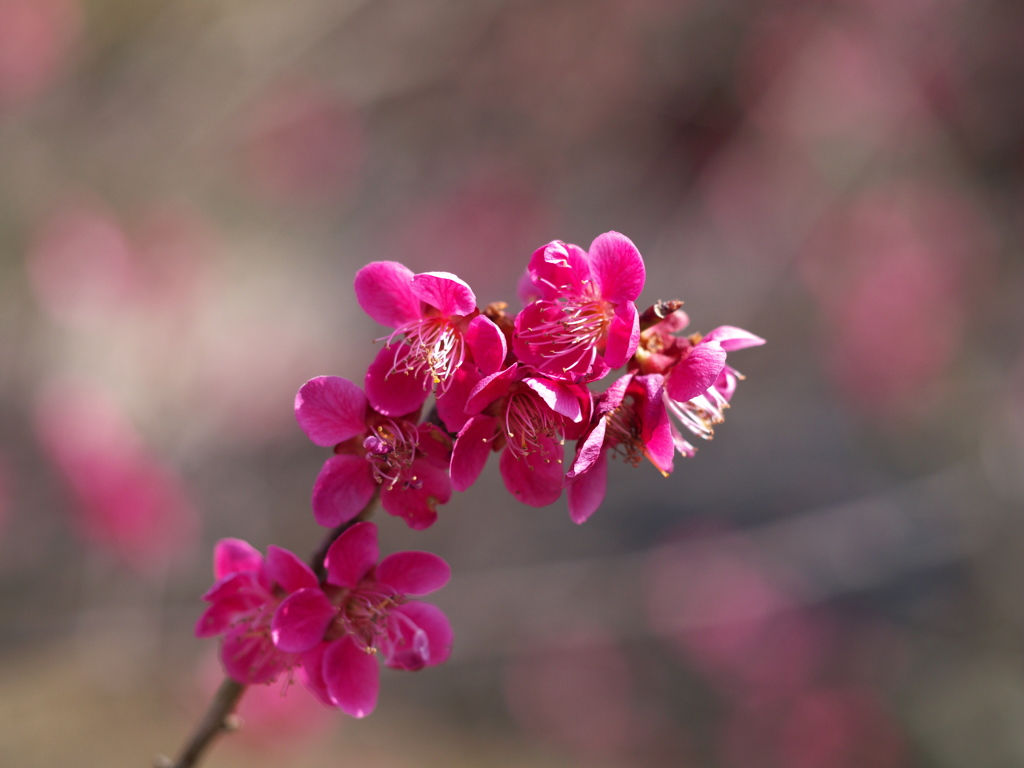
(519, 386)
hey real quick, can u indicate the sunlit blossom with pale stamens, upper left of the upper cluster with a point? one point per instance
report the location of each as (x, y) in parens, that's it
(432, 314)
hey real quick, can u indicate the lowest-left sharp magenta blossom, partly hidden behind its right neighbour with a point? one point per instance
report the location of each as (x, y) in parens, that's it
(244, 600)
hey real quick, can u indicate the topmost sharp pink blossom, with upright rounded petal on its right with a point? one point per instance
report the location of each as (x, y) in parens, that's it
(583, 322)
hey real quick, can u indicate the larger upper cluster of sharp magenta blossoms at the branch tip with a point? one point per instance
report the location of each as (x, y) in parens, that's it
(517, 386)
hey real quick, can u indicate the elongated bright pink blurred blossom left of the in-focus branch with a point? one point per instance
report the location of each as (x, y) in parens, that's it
(125, 500)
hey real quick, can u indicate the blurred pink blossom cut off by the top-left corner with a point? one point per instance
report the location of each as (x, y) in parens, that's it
(35, 39)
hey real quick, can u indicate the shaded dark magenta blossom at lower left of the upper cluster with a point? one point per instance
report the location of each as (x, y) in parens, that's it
(407, 461)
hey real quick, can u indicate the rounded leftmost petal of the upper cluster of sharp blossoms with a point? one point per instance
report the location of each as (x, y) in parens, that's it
(331, 410)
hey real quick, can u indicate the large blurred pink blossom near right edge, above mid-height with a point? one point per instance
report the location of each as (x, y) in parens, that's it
(893, 274)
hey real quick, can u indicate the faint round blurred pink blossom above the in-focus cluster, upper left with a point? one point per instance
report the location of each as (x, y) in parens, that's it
(304, 144)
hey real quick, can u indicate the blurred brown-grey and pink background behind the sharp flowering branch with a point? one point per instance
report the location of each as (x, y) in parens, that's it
(187, 190)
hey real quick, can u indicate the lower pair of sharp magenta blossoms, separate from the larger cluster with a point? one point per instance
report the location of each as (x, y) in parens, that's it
(276, 616)
